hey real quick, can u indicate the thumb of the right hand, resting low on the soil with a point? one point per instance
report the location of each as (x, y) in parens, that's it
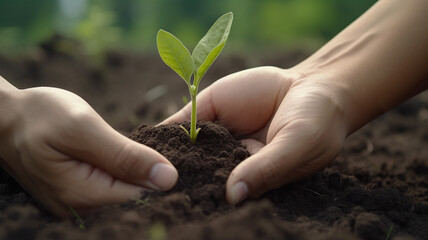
(278, 163)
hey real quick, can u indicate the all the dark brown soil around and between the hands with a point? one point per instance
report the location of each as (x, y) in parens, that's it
(377, 188)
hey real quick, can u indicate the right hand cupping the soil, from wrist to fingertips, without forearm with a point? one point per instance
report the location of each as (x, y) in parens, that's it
(292, 124)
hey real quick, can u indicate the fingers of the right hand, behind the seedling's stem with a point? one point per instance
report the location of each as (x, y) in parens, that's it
(243, 102)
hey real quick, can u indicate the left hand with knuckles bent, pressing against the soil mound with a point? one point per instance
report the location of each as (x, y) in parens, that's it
(64, 154)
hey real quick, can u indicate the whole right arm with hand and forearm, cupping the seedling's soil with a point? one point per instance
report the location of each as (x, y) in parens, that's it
(295, 121)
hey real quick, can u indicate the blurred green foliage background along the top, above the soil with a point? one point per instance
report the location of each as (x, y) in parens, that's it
(133, 24)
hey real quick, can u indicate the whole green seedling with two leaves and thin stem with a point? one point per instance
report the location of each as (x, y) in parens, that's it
(178, 57)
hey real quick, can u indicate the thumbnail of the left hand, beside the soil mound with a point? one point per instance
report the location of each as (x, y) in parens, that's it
(163, 176)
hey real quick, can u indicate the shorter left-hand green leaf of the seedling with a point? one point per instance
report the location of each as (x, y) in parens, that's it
(175, 54)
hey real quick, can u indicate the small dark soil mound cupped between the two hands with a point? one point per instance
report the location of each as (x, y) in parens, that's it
(203, 167)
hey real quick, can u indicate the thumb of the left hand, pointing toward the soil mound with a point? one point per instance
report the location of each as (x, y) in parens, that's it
(100, 145)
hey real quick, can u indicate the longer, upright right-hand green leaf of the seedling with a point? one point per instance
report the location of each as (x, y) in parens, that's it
(210, 46)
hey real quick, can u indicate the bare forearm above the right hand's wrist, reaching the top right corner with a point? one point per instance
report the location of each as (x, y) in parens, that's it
(378, 61)
